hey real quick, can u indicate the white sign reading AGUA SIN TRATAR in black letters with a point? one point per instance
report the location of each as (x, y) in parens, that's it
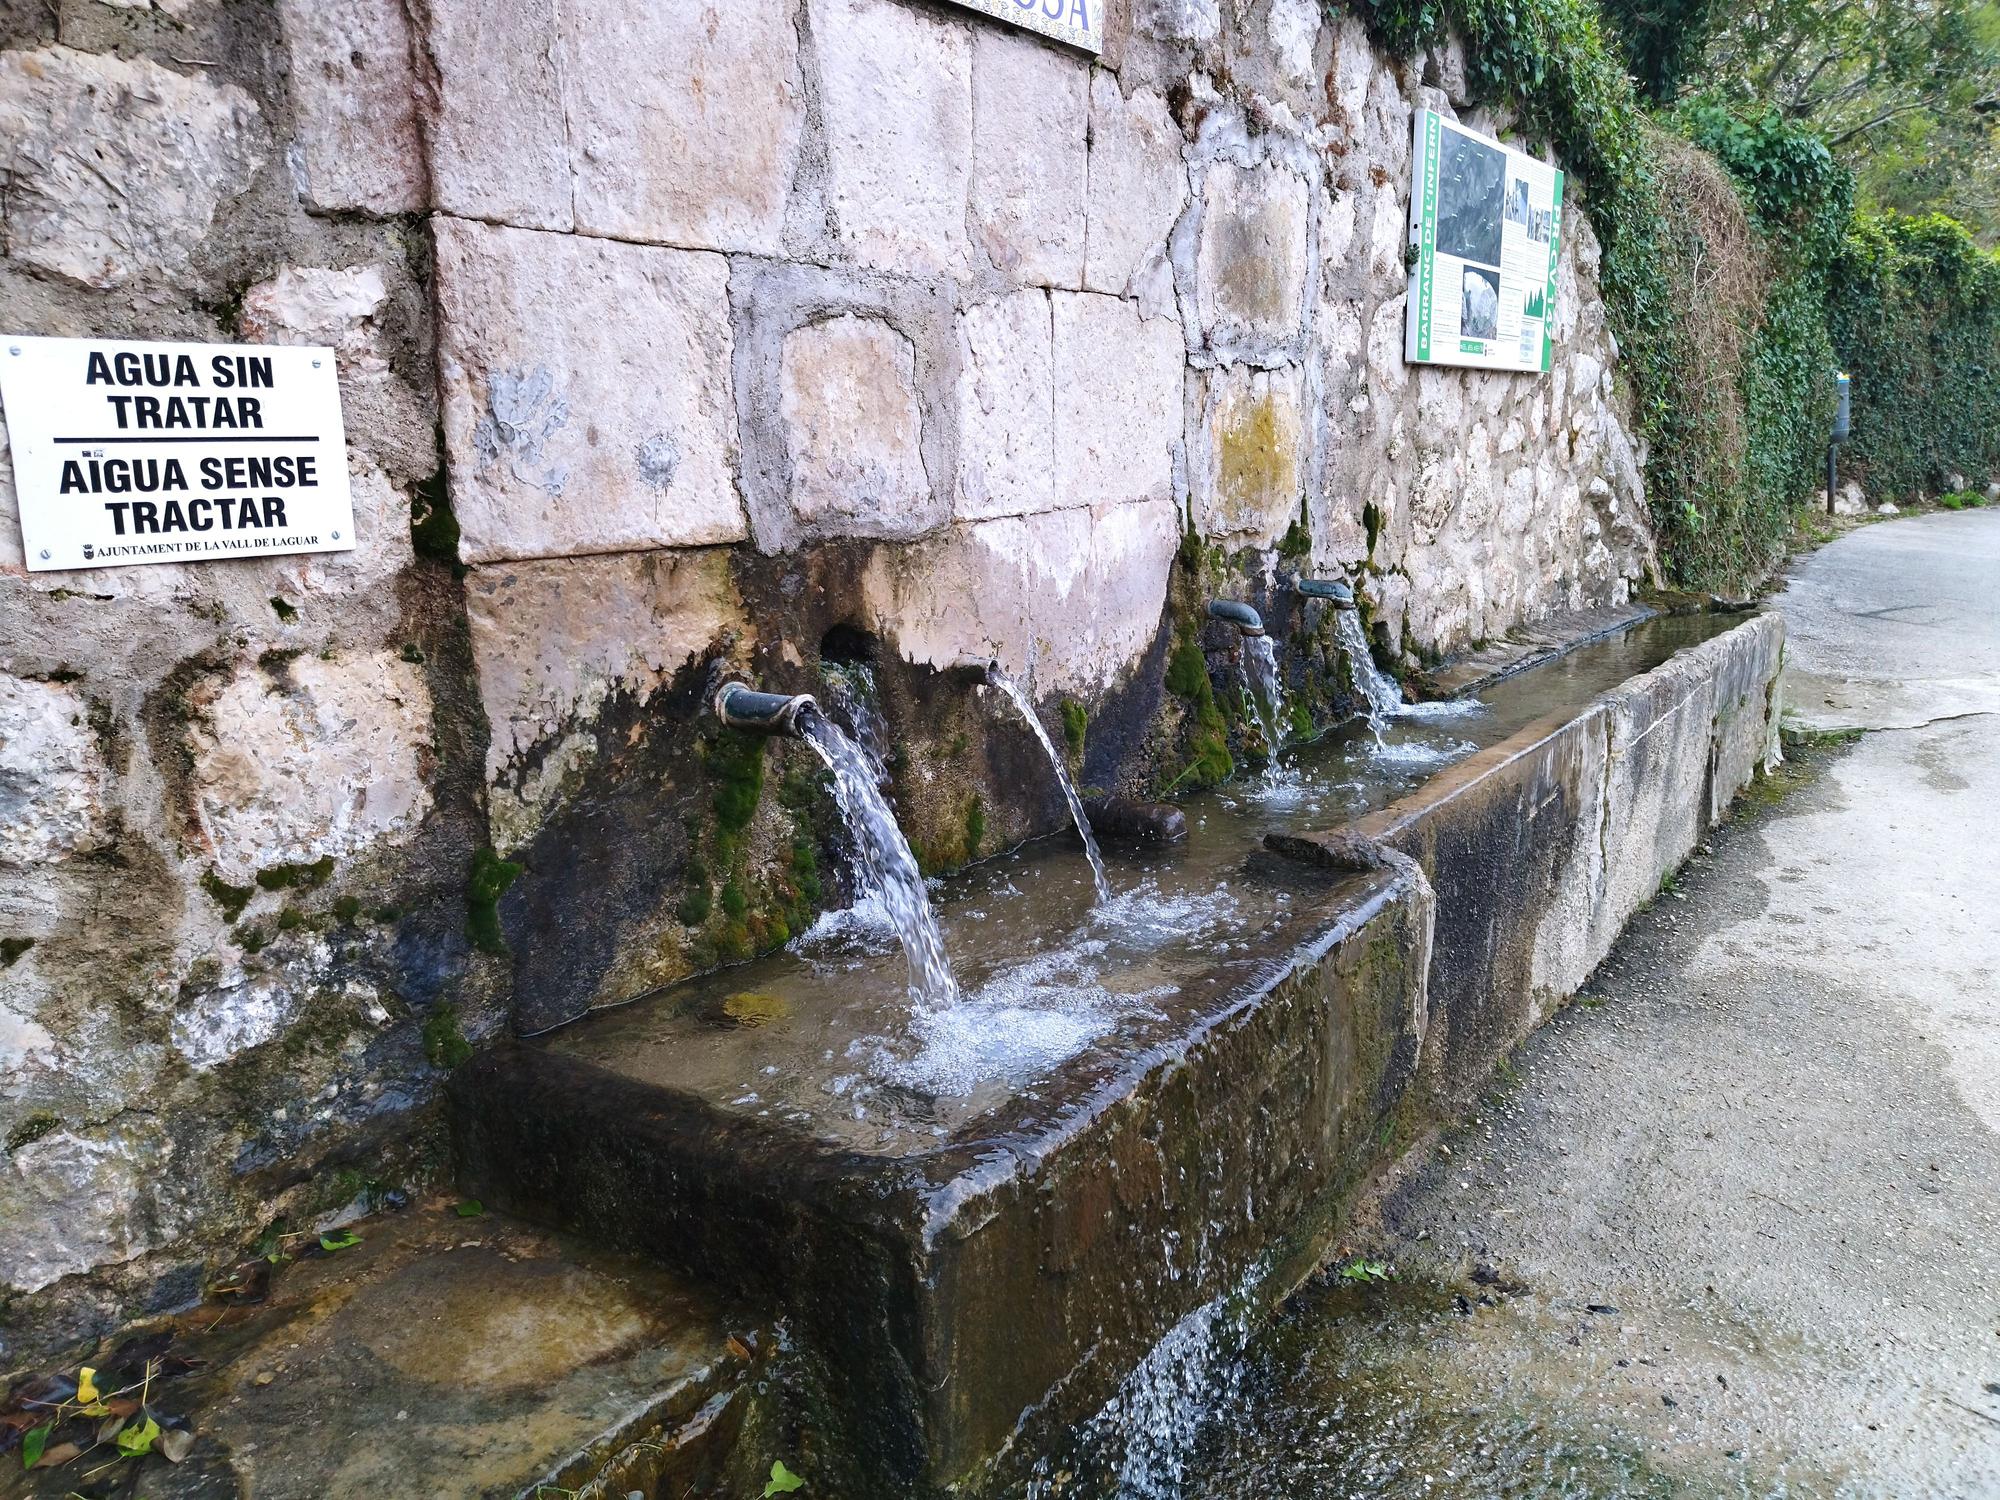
(175, 453)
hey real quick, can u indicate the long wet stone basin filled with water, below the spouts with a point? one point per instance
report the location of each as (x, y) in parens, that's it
(977, 1261)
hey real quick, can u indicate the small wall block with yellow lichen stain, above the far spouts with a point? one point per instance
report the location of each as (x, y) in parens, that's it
(1253, 479)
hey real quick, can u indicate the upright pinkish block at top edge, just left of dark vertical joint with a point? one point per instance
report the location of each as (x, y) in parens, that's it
(355, 107)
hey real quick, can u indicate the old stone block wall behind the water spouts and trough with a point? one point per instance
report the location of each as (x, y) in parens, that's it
(675, 341)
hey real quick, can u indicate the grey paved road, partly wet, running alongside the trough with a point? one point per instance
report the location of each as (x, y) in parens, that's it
(1733, 1225)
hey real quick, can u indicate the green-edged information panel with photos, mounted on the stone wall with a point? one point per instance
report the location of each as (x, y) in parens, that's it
(1485, 225)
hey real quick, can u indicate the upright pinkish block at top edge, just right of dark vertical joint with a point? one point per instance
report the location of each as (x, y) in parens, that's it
(493, 111)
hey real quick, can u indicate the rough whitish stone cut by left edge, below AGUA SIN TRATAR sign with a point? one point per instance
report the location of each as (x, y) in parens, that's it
(53, 777)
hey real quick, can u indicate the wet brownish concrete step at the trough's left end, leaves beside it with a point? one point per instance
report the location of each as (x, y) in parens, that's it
(443, 1355)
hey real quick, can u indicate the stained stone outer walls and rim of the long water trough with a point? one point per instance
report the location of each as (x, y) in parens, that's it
(977, 1283)
